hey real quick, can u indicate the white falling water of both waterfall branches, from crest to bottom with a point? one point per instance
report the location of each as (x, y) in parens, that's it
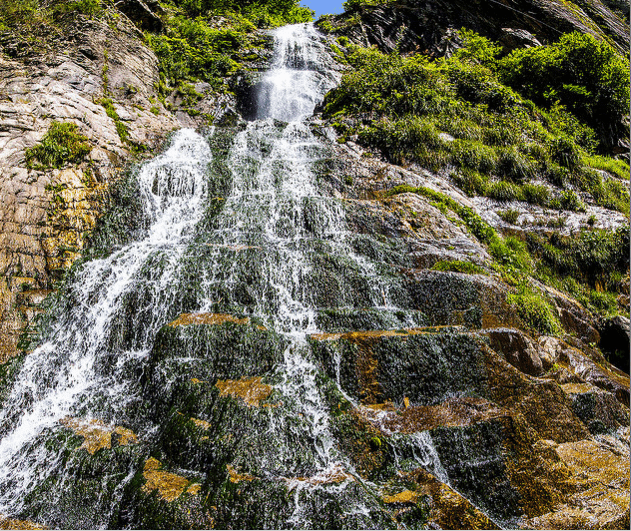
(274, 192)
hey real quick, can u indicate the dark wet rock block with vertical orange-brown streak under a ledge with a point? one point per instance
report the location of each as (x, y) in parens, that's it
(421, 365)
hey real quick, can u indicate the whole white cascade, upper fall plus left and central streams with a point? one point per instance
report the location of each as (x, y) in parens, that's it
(266, 255)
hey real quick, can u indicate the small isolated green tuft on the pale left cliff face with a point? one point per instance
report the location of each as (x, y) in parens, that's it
(61, 145)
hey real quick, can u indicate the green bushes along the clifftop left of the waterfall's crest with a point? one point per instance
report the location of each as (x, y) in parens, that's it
(203, 40)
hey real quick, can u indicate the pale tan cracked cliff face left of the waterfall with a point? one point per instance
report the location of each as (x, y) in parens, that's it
(68, 76)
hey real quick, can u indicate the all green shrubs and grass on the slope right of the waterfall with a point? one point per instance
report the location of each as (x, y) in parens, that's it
(467, 115)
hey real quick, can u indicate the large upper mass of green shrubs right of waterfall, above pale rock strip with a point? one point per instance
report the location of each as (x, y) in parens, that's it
(461, 112)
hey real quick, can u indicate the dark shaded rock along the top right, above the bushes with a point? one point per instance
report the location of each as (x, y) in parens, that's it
(427, 25)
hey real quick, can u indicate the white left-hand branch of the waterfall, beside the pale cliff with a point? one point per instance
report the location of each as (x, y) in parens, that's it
(64, 376)
